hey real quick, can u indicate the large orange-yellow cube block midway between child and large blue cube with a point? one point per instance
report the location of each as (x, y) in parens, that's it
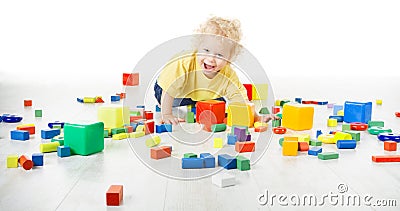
(297, 117)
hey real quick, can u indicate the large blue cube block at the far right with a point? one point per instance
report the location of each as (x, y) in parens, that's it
(357, 112)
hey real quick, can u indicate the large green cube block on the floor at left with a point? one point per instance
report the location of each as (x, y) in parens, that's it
(84, 139)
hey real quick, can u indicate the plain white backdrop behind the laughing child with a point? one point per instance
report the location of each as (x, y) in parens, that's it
(94, 42)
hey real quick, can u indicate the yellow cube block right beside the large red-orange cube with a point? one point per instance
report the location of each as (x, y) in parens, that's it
(241, 114)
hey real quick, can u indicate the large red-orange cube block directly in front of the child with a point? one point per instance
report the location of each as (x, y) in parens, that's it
(210, 112)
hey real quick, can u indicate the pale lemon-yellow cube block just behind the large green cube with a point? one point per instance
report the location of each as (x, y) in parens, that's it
(113, 116)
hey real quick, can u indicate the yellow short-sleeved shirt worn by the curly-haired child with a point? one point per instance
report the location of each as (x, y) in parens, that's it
(183, 78)
